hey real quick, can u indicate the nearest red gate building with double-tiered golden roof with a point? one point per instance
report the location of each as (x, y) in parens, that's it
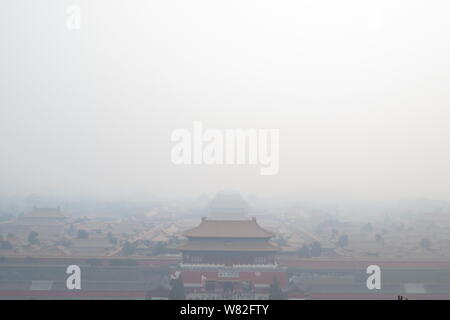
(223, 256)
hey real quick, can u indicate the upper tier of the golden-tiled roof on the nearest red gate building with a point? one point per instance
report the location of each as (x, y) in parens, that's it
(228, 229)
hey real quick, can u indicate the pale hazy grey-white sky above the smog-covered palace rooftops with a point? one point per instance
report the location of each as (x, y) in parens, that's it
(358, 89)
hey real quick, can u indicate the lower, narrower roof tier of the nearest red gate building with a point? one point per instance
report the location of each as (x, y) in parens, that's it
(229, 246)
